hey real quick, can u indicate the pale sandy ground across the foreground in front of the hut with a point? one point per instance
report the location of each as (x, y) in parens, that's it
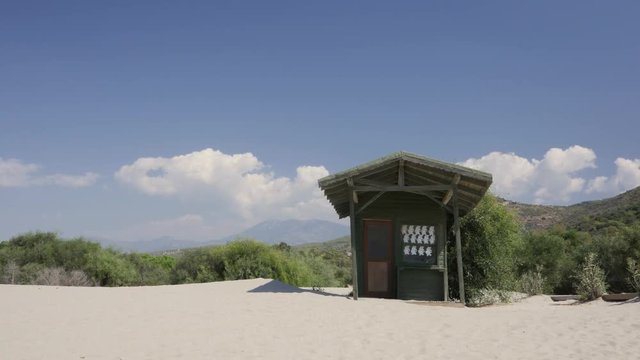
(257, 319)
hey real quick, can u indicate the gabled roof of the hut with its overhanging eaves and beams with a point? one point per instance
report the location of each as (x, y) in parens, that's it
(403, 171)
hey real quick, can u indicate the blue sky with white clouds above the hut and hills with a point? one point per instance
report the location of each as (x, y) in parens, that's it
(544, 95)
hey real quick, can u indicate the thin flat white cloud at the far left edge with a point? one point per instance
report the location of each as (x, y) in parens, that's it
(15, 173)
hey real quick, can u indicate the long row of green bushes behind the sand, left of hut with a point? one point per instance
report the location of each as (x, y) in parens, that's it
(44, 258)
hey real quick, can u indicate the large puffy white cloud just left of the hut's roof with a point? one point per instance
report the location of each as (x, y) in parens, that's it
(240, 181)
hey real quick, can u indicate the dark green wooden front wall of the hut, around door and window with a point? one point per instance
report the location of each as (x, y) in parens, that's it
(413, 281)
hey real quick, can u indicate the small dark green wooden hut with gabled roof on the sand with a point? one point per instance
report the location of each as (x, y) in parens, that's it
(403, 208)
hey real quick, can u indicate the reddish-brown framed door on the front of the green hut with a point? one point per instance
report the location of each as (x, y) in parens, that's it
(379, 274)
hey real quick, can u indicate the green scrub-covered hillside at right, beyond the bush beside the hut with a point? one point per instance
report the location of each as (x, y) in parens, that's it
(559, 239)
